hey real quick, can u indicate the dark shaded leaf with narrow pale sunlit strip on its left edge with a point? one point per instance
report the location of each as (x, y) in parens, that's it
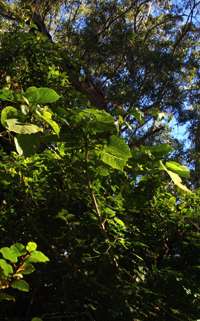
(27, 145)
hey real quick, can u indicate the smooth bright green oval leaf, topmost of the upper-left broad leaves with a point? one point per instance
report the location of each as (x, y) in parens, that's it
(41, 95)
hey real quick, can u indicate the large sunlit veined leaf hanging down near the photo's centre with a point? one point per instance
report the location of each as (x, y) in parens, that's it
(116, 153)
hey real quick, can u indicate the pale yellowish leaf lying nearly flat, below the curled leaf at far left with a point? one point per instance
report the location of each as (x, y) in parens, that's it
(14, 125)
